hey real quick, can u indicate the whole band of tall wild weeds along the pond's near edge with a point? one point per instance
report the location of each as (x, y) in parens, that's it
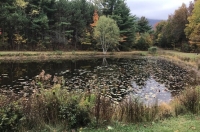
(58, 109)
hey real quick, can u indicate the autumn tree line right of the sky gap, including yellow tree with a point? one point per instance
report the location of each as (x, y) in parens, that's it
(181, 30)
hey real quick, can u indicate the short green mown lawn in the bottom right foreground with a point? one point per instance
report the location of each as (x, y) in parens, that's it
(185, 123)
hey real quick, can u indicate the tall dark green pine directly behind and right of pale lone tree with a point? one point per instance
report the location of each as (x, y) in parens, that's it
(120, 12)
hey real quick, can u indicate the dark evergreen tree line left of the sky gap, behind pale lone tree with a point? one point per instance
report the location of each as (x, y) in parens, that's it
(66, 24)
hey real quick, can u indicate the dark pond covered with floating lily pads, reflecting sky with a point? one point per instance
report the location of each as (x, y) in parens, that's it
(148, 79)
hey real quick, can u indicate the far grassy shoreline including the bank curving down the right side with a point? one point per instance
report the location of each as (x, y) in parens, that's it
(35, 56)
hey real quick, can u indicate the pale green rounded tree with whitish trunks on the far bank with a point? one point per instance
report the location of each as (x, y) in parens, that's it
(106, 33)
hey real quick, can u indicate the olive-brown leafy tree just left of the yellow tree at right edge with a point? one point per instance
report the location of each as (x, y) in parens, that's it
(170, 33)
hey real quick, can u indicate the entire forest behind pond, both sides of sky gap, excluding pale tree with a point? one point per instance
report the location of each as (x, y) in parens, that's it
(69, 25)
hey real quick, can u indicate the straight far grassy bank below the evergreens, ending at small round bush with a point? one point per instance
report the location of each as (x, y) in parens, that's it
(40, 56)
